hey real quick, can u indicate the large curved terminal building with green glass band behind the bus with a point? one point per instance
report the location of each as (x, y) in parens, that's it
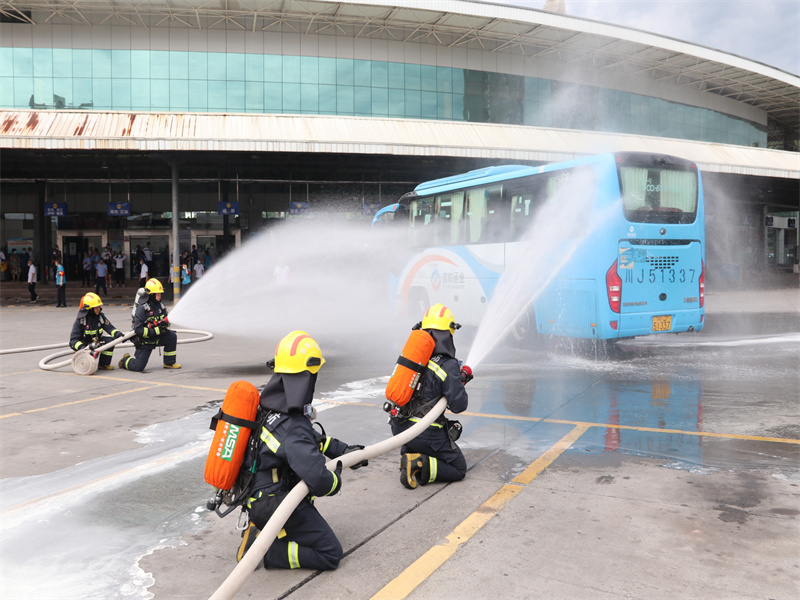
(183, 122)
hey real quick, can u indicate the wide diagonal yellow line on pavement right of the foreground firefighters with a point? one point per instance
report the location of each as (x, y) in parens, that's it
(402, 585)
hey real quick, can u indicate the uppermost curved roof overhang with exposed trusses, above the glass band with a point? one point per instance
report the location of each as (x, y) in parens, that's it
(489, 27)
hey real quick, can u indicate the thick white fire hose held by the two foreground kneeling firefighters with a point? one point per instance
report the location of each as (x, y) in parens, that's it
(231, 586)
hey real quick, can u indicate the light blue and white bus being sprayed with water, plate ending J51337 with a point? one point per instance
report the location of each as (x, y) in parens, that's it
(635, 226)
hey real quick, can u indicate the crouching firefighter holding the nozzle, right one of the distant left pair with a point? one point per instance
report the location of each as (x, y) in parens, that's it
(151, 326)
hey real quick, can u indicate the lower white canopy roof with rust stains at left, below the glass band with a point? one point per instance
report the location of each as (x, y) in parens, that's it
(255, 133)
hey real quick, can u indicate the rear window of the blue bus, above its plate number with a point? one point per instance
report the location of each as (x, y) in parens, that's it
(655, 195)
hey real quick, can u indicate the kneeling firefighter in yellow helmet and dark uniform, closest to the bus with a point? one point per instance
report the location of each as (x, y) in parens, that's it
(434, 455)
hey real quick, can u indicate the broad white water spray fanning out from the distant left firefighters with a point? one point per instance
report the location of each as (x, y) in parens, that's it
(337, 283)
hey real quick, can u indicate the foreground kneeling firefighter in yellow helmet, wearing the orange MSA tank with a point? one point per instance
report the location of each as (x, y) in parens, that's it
(291, 450)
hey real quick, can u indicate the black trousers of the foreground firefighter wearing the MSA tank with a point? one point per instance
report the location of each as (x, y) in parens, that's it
(309, 542)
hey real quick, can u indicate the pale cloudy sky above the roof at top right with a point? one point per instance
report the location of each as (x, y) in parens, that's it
(767, 31)
